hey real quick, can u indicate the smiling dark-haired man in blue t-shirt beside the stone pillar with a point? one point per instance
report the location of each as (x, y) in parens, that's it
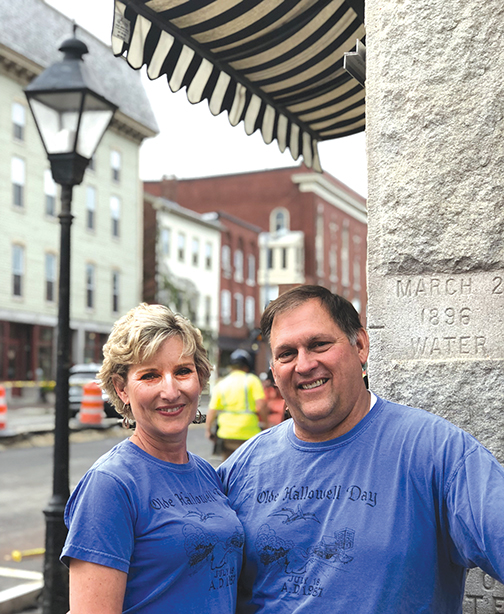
(357, 505)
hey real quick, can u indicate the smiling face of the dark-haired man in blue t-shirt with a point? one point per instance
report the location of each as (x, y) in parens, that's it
(318, 372)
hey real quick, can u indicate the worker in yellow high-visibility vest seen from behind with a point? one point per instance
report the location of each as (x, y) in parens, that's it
(238, 402)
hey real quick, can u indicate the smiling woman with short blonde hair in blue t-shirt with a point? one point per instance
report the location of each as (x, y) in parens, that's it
(150, 529)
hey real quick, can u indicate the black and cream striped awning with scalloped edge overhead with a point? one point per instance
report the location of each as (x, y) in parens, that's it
(275, 65)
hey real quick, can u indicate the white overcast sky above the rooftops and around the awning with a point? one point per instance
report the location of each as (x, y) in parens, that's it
(194, 143)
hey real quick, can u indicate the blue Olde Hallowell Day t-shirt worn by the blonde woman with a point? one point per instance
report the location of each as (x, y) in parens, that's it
(168, 526)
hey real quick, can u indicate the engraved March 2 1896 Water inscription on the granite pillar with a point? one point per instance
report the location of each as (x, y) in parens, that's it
(445, 317)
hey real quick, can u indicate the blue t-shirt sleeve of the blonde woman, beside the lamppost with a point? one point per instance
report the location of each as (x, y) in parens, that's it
(100, 519)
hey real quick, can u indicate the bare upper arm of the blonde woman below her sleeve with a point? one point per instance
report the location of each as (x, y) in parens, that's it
(96, 588)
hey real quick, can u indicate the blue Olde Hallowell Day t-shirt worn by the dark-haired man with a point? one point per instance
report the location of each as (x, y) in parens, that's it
(384, 519)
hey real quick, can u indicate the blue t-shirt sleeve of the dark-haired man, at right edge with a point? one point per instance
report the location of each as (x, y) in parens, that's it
(475, 507)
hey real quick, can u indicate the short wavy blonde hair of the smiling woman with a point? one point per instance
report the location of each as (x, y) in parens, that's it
(137, 336)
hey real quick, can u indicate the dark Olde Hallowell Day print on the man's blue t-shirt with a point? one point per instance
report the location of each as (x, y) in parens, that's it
(299, 543)
